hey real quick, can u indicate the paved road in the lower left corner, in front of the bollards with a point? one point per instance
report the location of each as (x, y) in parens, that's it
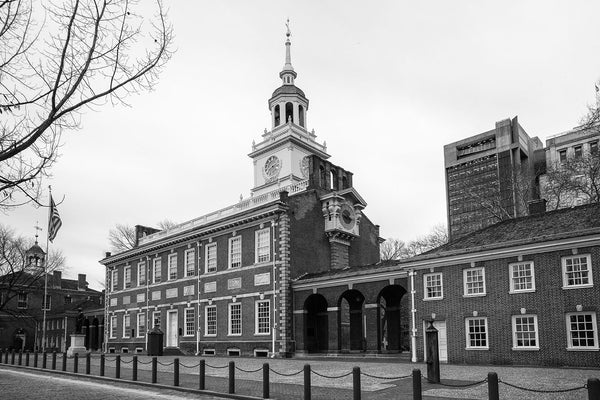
(42, 386)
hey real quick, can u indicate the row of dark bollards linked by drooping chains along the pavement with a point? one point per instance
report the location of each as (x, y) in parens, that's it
(493, 381)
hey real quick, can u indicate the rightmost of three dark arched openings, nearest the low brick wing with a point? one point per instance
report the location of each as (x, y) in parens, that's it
(391, 336)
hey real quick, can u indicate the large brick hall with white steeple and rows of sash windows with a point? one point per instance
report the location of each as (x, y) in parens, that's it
(221, 283)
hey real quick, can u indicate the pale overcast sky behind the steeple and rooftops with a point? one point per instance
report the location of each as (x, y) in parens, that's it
(389, 84)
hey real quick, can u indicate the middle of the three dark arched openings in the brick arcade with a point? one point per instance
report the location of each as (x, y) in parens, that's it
(350, 325)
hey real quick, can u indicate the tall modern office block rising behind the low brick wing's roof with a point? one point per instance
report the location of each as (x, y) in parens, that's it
(488, 177)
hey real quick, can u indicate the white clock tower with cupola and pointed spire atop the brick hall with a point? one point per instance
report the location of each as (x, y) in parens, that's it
(281, 158)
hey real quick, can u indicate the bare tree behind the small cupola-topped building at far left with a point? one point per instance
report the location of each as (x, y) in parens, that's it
(17, 272)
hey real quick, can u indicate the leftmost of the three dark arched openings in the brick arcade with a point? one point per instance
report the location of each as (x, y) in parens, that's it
(316, 324)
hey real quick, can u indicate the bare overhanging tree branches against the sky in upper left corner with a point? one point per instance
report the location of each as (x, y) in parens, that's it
(85, 54)
